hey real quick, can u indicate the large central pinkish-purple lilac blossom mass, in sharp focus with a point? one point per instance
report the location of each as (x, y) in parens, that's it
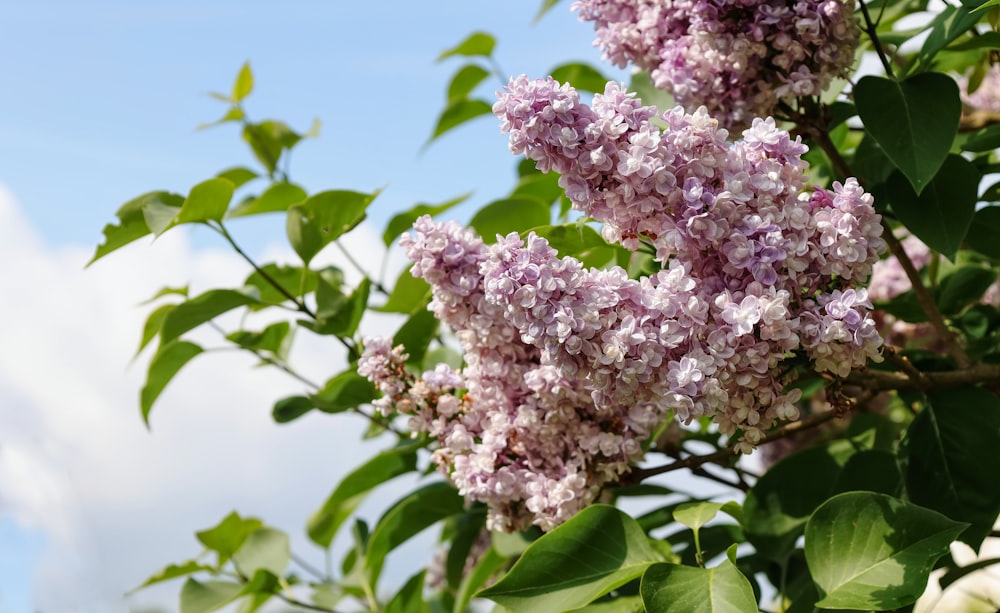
(569, 371)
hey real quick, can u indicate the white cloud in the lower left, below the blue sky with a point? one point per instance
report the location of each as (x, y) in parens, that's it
(116, 501)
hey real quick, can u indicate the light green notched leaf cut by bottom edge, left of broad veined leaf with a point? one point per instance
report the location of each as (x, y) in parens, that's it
(671, 588)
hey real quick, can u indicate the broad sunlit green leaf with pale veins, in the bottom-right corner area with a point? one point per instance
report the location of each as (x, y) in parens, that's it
(871, 551)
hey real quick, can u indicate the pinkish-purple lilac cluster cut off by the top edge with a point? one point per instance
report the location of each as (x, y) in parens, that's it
(737, 57)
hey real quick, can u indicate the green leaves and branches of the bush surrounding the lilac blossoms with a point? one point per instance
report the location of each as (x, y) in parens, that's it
(854, 519)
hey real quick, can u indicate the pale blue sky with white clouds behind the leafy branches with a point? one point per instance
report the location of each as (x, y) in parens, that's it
(100, 103)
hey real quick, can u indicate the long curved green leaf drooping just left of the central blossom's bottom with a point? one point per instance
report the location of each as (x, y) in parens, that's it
(391, 463)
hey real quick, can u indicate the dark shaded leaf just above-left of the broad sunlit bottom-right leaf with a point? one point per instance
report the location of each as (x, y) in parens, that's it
(774, 515)
